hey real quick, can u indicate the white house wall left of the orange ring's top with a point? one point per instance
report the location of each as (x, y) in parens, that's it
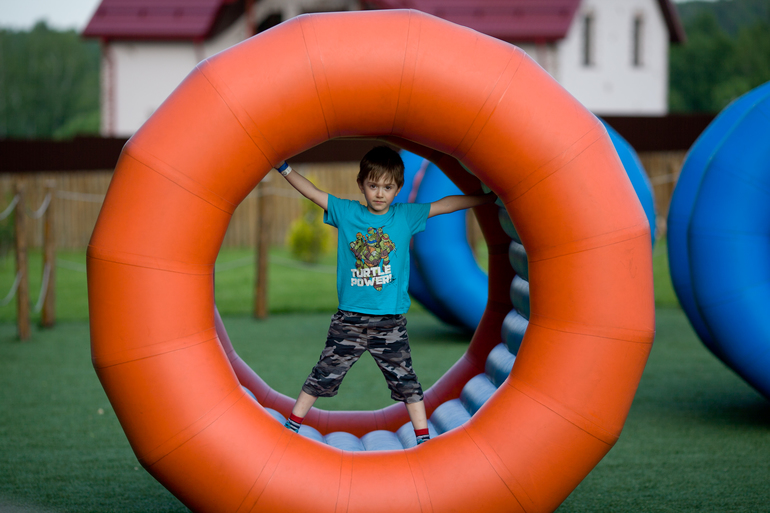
(138, 75)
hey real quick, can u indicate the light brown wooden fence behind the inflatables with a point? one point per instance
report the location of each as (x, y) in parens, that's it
(79, 195)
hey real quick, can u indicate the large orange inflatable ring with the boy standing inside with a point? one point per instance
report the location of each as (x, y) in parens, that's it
(448, 94)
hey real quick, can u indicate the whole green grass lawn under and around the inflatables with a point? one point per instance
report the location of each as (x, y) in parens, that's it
(697, 437)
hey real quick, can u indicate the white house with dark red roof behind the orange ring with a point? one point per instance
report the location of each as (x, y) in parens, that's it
(612, 55)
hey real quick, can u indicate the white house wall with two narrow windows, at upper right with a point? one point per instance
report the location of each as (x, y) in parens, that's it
(613, 86)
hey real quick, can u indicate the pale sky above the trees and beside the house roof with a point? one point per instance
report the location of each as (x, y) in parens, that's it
(59, 14)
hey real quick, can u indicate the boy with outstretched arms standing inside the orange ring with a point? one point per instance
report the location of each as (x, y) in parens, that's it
(372, 282)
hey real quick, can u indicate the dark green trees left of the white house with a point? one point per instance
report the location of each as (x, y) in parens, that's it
(49, 83)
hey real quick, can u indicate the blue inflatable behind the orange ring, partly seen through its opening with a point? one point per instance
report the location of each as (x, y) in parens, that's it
(442, 250)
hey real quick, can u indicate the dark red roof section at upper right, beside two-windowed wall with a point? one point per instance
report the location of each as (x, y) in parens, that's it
(517, 20)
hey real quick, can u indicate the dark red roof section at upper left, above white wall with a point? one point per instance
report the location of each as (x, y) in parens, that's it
(156, 19)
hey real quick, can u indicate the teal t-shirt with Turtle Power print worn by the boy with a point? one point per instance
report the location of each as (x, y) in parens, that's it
(373, 254)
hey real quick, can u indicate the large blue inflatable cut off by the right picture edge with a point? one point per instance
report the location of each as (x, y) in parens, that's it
(718, 247)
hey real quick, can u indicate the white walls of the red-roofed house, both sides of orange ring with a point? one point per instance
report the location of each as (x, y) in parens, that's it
(138, 76)
